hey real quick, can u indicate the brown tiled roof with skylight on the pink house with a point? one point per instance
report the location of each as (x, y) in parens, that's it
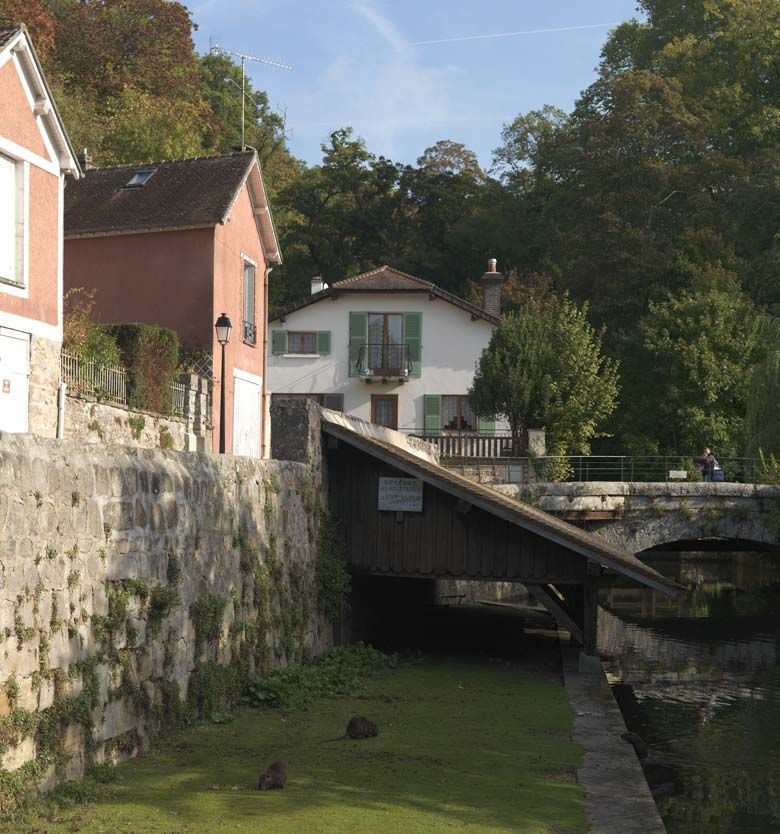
(180, 193)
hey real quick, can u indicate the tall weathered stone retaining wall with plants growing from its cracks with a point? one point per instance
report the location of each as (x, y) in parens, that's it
(139, 586)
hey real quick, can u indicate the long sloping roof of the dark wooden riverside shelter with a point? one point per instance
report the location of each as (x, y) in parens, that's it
(529, 518)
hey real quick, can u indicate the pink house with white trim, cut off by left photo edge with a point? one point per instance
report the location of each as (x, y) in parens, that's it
(35, 157)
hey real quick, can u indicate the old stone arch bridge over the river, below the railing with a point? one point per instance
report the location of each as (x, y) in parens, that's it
(638, 516)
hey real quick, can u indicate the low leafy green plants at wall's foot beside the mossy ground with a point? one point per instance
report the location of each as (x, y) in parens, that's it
(341, 671)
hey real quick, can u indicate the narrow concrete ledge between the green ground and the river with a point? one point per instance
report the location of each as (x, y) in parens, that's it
(618, 796)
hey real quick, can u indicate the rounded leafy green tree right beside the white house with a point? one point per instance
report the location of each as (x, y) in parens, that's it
(544, 367)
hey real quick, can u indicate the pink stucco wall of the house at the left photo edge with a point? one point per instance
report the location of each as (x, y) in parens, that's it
(17, 124)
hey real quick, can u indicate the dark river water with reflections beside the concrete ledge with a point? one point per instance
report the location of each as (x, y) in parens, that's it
(699, 679)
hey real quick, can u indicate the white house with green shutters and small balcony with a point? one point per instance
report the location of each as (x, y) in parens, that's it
(387, 347)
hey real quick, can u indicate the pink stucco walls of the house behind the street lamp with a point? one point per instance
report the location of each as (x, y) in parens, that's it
(182, 280)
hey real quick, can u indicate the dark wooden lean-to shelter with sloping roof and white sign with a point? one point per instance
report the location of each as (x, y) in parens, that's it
(405, 516)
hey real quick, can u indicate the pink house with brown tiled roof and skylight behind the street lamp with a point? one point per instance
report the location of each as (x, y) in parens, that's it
(177, 244)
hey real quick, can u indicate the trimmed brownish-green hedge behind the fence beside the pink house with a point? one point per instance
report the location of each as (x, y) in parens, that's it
(151, 355)
